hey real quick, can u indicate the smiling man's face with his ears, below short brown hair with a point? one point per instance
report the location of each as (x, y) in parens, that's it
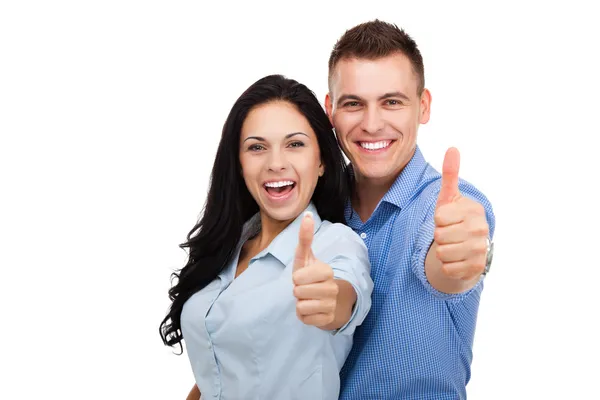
(376, 111)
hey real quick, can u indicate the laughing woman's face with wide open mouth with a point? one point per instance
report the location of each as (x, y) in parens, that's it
(280, 158)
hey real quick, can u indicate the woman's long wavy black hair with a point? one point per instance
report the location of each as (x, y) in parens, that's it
(213, 240)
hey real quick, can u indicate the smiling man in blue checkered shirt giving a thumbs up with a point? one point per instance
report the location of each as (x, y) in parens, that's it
(428, 234)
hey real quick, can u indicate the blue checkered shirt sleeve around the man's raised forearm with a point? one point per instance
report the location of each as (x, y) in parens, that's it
(425, 239)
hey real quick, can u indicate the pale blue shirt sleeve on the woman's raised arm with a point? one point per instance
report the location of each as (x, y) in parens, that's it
(347, 255)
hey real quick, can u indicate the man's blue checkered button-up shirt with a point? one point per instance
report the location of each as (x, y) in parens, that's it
(416, 342)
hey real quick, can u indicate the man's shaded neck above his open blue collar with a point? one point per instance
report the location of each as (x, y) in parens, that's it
(368, 193)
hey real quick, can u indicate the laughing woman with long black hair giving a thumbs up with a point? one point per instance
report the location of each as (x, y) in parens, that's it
(269, 298)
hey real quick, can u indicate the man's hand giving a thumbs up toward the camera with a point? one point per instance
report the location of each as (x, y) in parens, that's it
(461, 228)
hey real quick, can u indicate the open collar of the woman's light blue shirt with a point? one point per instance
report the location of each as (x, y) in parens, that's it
(283, 247)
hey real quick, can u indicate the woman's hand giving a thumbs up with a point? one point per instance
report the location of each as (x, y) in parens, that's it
(314, 286)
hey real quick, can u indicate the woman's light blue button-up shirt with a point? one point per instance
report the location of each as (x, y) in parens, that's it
(243, 337)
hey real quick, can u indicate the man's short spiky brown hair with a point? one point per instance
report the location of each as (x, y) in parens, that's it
(376, 39)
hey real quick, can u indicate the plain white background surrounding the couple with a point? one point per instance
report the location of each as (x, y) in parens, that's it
(110, 114)
